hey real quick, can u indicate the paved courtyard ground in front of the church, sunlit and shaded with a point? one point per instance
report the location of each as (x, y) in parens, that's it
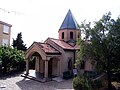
(19, 83)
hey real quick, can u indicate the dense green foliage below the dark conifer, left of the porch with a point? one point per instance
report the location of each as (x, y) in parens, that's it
(11, 58)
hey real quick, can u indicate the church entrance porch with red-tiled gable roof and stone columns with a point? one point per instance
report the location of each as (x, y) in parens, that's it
(43, 57)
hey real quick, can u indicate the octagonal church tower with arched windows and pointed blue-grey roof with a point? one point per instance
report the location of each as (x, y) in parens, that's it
(69, 30)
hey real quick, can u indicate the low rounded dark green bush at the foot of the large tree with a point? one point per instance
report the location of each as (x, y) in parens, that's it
(84, 82)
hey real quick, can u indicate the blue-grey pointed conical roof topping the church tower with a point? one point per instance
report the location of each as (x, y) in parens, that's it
(69, 22)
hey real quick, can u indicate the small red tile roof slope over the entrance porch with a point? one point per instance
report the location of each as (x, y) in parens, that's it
(47, 48)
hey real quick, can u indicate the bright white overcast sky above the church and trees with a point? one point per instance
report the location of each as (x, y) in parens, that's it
(40, 19)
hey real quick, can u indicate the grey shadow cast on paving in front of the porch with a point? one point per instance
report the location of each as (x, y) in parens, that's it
(27, 84)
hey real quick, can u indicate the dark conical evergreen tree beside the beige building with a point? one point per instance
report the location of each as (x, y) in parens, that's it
(18, 43)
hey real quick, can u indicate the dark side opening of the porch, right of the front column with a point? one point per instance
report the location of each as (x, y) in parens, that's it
(53, 67)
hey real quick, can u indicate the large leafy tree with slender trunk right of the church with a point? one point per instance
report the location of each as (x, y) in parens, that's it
(104, 45)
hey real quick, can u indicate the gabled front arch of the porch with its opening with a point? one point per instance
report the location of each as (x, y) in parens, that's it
(39, 62)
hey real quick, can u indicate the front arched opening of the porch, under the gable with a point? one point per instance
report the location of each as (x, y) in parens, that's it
(36, 65)
